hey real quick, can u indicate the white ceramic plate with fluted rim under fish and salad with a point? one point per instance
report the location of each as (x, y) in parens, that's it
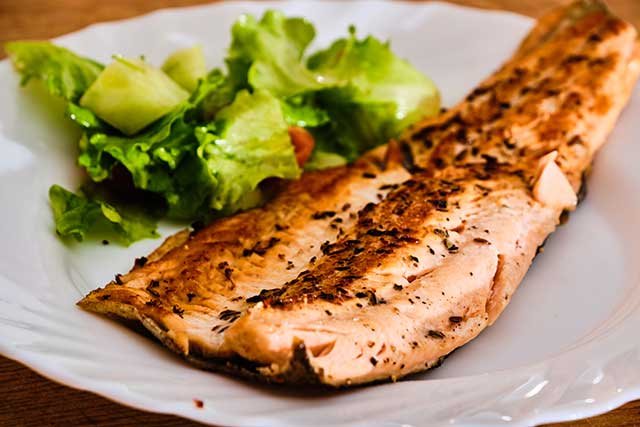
(567, 347)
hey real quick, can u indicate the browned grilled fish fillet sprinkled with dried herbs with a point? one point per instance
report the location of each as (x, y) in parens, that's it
(380, 269)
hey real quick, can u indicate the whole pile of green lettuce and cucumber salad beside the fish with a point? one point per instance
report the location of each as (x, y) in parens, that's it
(191, 144)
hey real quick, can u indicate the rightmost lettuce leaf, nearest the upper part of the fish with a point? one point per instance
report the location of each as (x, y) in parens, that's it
(378, 96)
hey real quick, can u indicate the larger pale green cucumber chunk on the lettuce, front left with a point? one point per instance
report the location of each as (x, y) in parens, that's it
(129, 94)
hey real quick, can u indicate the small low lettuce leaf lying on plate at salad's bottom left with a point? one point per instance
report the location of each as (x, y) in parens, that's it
(75, 215)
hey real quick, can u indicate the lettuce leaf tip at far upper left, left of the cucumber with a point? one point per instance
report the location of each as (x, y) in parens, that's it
(64, 73)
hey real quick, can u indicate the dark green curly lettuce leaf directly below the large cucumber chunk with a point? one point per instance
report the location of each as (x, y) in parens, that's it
(163, 158)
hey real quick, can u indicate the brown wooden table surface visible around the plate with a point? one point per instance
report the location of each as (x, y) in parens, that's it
(26, 399)
